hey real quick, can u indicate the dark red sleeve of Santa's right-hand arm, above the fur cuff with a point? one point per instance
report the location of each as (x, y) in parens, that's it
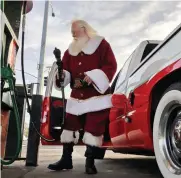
(108, 61)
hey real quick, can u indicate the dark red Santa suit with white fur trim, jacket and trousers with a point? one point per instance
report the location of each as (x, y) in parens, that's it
(97, 61)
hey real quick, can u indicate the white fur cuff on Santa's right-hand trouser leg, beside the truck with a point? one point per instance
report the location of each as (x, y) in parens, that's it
(92, 140)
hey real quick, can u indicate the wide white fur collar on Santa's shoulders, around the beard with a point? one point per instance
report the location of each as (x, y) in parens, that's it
(90, 47)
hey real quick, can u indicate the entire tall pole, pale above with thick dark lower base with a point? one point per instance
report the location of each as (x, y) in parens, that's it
(33, 137)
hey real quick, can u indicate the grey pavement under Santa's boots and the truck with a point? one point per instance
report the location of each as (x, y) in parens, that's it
(114, 165)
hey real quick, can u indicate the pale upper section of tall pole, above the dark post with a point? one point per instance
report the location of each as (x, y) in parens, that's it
(42, 52)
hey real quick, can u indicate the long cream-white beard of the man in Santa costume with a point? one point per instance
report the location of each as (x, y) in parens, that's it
(78, 44)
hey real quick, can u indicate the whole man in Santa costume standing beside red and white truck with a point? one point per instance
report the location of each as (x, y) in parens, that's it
(90, 59)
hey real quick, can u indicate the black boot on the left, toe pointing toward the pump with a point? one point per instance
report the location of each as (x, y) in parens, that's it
(66, 161)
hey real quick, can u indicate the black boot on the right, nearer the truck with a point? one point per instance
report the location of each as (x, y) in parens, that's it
(89, 165)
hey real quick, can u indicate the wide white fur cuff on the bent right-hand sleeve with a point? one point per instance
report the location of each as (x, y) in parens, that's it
(100, 79)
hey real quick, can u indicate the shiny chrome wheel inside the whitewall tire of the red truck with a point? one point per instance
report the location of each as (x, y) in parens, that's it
(170, 138)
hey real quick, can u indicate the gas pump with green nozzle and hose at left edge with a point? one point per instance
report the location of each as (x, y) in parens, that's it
(10, 24)
